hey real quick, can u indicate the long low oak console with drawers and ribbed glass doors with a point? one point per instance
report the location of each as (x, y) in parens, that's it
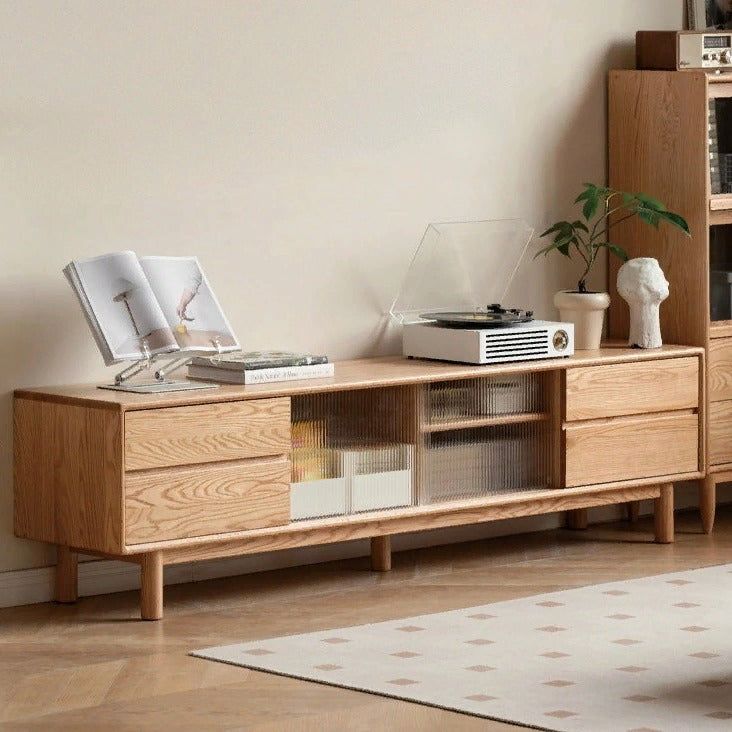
(179, 477)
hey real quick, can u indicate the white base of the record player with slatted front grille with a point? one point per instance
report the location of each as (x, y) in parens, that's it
(520, 342)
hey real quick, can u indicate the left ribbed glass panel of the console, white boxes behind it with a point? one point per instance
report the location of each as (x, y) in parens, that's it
(352, 451)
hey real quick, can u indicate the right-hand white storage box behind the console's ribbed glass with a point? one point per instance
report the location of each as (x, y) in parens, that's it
(379, 477)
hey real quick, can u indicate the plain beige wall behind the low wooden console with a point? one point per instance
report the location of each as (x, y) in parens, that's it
(299, 148)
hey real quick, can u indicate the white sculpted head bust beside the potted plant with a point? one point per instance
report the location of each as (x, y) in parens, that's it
(643, 286)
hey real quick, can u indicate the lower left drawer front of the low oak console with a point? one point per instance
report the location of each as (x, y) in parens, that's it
(179, 503)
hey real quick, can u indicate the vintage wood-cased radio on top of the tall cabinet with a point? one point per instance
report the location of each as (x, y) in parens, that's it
(683, 50)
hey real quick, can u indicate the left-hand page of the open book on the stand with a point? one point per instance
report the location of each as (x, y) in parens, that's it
(116, 292)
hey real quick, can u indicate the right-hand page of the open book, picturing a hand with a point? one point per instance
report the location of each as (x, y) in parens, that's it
(188, 304)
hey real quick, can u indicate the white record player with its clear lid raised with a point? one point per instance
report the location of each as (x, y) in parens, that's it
(438, 304)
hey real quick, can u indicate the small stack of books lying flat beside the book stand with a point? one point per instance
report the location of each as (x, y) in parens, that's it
(259, 367)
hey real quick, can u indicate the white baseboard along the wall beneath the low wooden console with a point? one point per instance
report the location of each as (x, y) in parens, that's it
(101, 577)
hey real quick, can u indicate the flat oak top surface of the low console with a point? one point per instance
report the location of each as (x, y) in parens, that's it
(357, 374)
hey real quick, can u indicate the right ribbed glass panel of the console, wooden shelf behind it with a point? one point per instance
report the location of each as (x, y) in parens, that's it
(485, 437)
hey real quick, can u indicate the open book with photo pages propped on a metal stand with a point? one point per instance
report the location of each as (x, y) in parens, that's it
(162, 303)
